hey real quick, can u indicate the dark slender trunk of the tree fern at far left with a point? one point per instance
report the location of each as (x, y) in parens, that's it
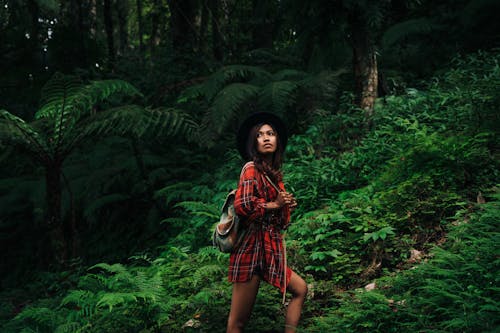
(54, 222)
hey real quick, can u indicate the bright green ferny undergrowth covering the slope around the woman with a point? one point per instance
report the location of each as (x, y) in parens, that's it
(421, 181)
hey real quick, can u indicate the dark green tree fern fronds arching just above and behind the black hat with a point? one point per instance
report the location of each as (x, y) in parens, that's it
(234, 91)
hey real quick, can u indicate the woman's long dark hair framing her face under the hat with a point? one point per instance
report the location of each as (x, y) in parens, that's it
(274, 169)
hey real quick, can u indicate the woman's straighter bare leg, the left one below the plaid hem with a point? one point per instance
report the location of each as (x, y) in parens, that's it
(242, 301)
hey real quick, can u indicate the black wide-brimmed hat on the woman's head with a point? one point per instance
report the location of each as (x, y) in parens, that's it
(255, 119)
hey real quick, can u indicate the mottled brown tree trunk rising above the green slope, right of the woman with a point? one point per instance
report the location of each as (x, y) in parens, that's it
(365, 66)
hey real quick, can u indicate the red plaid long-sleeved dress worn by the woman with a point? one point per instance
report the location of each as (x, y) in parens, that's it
(261, 251)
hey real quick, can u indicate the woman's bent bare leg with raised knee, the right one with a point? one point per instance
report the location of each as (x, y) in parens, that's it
(298, 287)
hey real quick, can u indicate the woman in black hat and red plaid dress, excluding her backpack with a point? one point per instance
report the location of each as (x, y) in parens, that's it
(266, 212)
